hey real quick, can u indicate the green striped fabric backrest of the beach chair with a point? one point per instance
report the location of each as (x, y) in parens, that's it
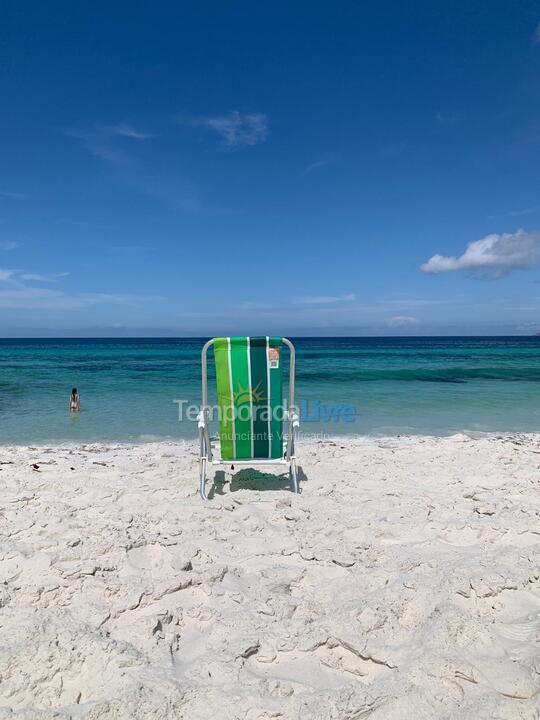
(250, 396)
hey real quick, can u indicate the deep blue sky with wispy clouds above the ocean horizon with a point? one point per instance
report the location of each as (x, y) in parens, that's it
(301, 168)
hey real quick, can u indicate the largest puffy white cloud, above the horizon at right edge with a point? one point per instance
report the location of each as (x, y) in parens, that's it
(493, 256)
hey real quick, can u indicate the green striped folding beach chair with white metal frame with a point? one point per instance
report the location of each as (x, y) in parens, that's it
(251, 406)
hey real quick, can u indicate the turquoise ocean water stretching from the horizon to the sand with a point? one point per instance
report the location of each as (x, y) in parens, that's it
(396, 385)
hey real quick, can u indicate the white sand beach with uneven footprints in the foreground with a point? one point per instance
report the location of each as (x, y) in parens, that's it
(404, 582)
